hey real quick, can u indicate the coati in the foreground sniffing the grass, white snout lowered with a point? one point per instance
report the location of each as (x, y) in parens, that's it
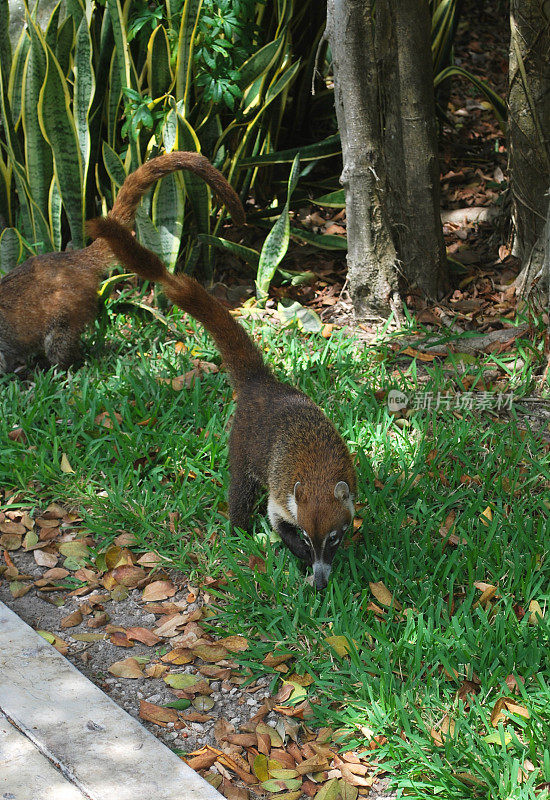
(280, 439)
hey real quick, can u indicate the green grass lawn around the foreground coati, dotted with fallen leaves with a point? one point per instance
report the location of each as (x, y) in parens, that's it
(397, 680)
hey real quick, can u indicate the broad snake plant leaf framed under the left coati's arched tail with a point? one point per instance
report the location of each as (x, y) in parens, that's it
(167, 212)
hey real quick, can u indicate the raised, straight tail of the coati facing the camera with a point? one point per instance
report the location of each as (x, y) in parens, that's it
(241, 357)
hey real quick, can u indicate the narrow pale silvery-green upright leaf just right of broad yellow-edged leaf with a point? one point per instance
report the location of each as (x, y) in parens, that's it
(84, 87)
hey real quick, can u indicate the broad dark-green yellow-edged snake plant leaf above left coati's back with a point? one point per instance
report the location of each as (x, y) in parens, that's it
(58, 127)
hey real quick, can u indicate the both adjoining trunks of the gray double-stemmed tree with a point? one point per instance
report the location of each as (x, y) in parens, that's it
(386, 116)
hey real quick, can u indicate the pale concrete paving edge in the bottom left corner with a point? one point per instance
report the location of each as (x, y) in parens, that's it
(95, 745)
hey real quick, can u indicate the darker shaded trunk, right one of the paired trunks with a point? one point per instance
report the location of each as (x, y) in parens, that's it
(422, 248)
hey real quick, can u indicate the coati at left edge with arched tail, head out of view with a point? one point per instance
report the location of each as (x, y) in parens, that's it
(46, 302)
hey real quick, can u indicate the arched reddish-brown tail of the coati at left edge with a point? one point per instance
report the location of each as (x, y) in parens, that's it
(139, 181)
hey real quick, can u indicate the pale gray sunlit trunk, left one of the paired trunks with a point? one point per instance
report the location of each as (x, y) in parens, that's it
(372, 259)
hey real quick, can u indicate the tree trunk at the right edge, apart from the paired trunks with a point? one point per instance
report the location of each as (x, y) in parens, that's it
(529, 133)
